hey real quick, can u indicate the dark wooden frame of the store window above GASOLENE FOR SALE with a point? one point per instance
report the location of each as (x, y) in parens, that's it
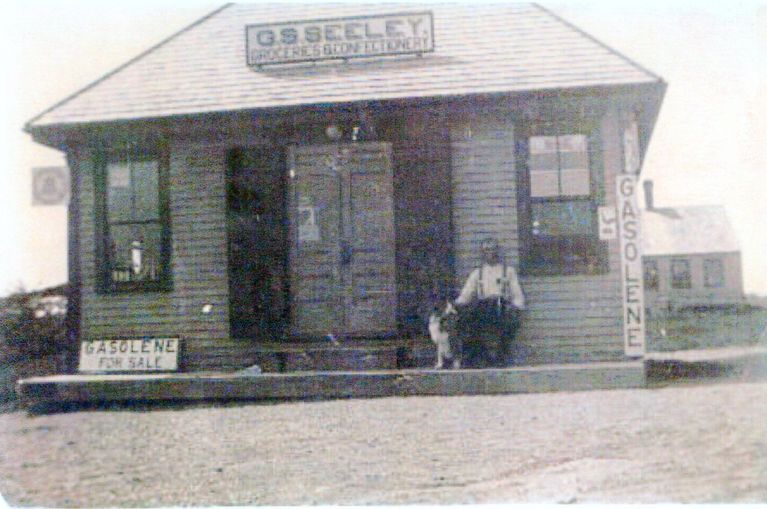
(105, 264)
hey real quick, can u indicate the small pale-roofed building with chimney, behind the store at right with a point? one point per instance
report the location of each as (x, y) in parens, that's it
(691, 256)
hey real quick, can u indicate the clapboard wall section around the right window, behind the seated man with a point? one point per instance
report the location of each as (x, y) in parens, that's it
(568, 318)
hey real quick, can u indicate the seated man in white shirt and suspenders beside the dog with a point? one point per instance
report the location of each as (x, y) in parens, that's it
(491, 300)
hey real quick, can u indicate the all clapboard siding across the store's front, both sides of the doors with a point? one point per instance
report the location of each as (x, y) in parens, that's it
(455, 183)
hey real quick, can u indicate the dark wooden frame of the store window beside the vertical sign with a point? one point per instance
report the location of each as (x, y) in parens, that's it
(531, 245)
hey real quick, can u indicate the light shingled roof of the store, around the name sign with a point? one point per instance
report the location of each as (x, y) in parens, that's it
(478, 49)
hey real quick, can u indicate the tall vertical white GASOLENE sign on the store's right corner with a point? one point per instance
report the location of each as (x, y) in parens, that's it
(631, 266)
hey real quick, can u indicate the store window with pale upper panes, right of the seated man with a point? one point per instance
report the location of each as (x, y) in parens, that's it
(558, 203)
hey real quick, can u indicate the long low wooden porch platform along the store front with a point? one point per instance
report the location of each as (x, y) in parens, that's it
(313, 385)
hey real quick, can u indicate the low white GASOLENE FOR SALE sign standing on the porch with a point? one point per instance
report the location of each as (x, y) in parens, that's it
(150, 354)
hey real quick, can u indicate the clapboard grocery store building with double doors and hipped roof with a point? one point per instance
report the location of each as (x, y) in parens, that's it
(286, 173)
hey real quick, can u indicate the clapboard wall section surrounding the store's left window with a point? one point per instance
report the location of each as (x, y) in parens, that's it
(198, 261)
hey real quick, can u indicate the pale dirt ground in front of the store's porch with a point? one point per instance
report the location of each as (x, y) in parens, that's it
(682, 443)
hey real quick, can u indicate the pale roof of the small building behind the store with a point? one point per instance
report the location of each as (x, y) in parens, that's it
(687, 230)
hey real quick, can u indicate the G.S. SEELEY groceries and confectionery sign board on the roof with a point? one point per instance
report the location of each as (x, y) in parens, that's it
(339, 38)
